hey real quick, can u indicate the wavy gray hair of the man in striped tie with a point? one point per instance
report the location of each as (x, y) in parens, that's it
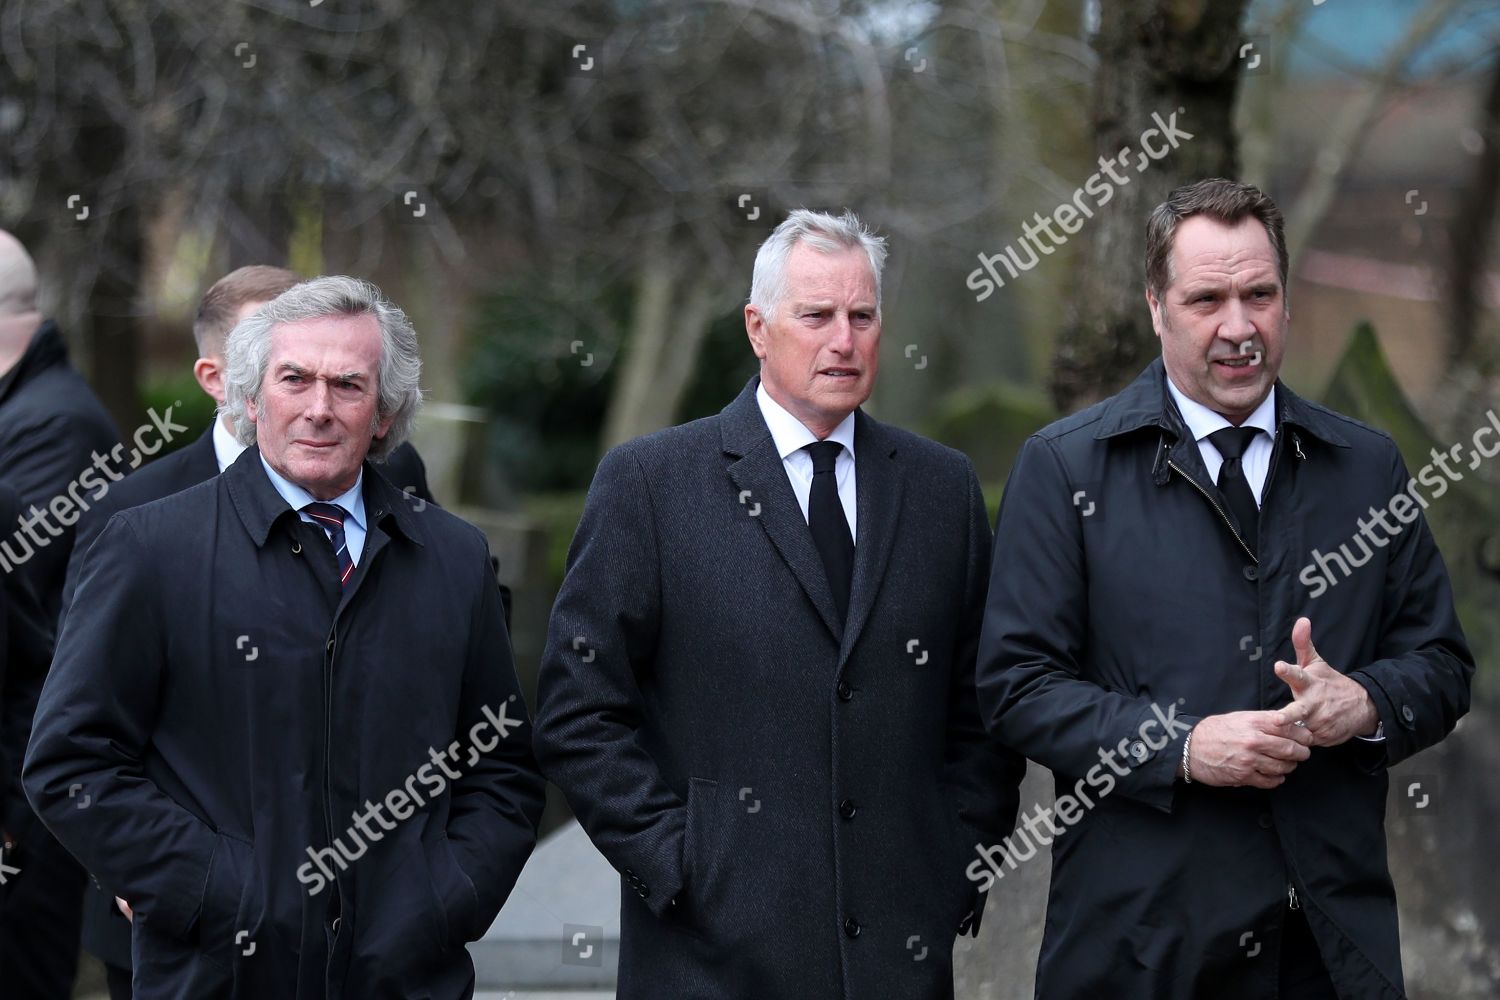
(248, 353)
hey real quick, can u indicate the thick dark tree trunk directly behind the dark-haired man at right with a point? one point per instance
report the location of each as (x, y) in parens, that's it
(1156, 58)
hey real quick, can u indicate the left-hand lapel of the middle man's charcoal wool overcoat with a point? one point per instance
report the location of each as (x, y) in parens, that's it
(761, 478)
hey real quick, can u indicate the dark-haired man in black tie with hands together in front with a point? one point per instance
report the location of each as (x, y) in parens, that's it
(1151, 624)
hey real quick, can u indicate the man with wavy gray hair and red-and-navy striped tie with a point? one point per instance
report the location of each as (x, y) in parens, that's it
(284, 723)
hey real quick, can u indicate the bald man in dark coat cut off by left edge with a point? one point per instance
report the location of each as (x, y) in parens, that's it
(56, 446)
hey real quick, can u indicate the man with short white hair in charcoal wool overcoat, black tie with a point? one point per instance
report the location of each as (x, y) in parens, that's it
(758, 686)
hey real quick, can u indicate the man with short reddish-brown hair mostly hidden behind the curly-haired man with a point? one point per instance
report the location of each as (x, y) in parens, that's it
(229, 301)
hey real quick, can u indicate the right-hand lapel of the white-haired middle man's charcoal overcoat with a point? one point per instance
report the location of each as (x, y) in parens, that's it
(878, 499)
